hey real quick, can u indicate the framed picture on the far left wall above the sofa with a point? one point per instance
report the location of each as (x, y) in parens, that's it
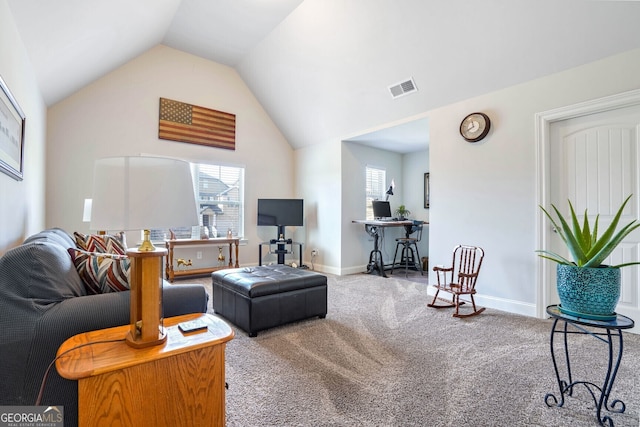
(12, 123)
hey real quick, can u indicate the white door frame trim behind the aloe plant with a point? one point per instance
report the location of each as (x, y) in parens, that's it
(543, 121)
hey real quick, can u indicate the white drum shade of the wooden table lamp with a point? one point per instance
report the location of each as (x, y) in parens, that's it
(138, 193)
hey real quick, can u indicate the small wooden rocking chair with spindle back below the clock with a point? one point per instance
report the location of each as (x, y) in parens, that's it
(459, 279)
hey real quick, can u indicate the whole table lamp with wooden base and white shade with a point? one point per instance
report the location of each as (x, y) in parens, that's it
(141, 193)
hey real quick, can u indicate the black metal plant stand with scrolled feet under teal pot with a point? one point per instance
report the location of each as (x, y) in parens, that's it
(610, 330)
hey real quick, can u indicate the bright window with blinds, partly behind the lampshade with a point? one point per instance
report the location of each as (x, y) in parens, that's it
(220, 197)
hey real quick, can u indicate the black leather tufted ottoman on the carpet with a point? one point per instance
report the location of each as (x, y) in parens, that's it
(258, 298)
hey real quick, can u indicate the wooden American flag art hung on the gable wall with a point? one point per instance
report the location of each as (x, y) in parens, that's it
(197, 125)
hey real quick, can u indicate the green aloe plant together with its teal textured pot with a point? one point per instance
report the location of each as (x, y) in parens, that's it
(586, 287)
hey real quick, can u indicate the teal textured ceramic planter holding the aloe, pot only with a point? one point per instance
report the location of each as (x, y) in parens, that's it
(592, 293)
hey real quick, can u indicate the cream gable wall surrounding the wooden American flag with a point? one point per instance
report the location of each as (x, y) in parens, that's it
(118, 115)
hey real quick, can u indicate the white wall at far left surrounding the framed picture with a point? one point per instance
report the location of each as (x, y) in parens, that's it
(22, 206)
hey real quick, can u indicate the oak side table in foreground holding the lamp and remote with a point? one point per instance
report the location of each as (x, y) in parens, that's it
(178, 383)
